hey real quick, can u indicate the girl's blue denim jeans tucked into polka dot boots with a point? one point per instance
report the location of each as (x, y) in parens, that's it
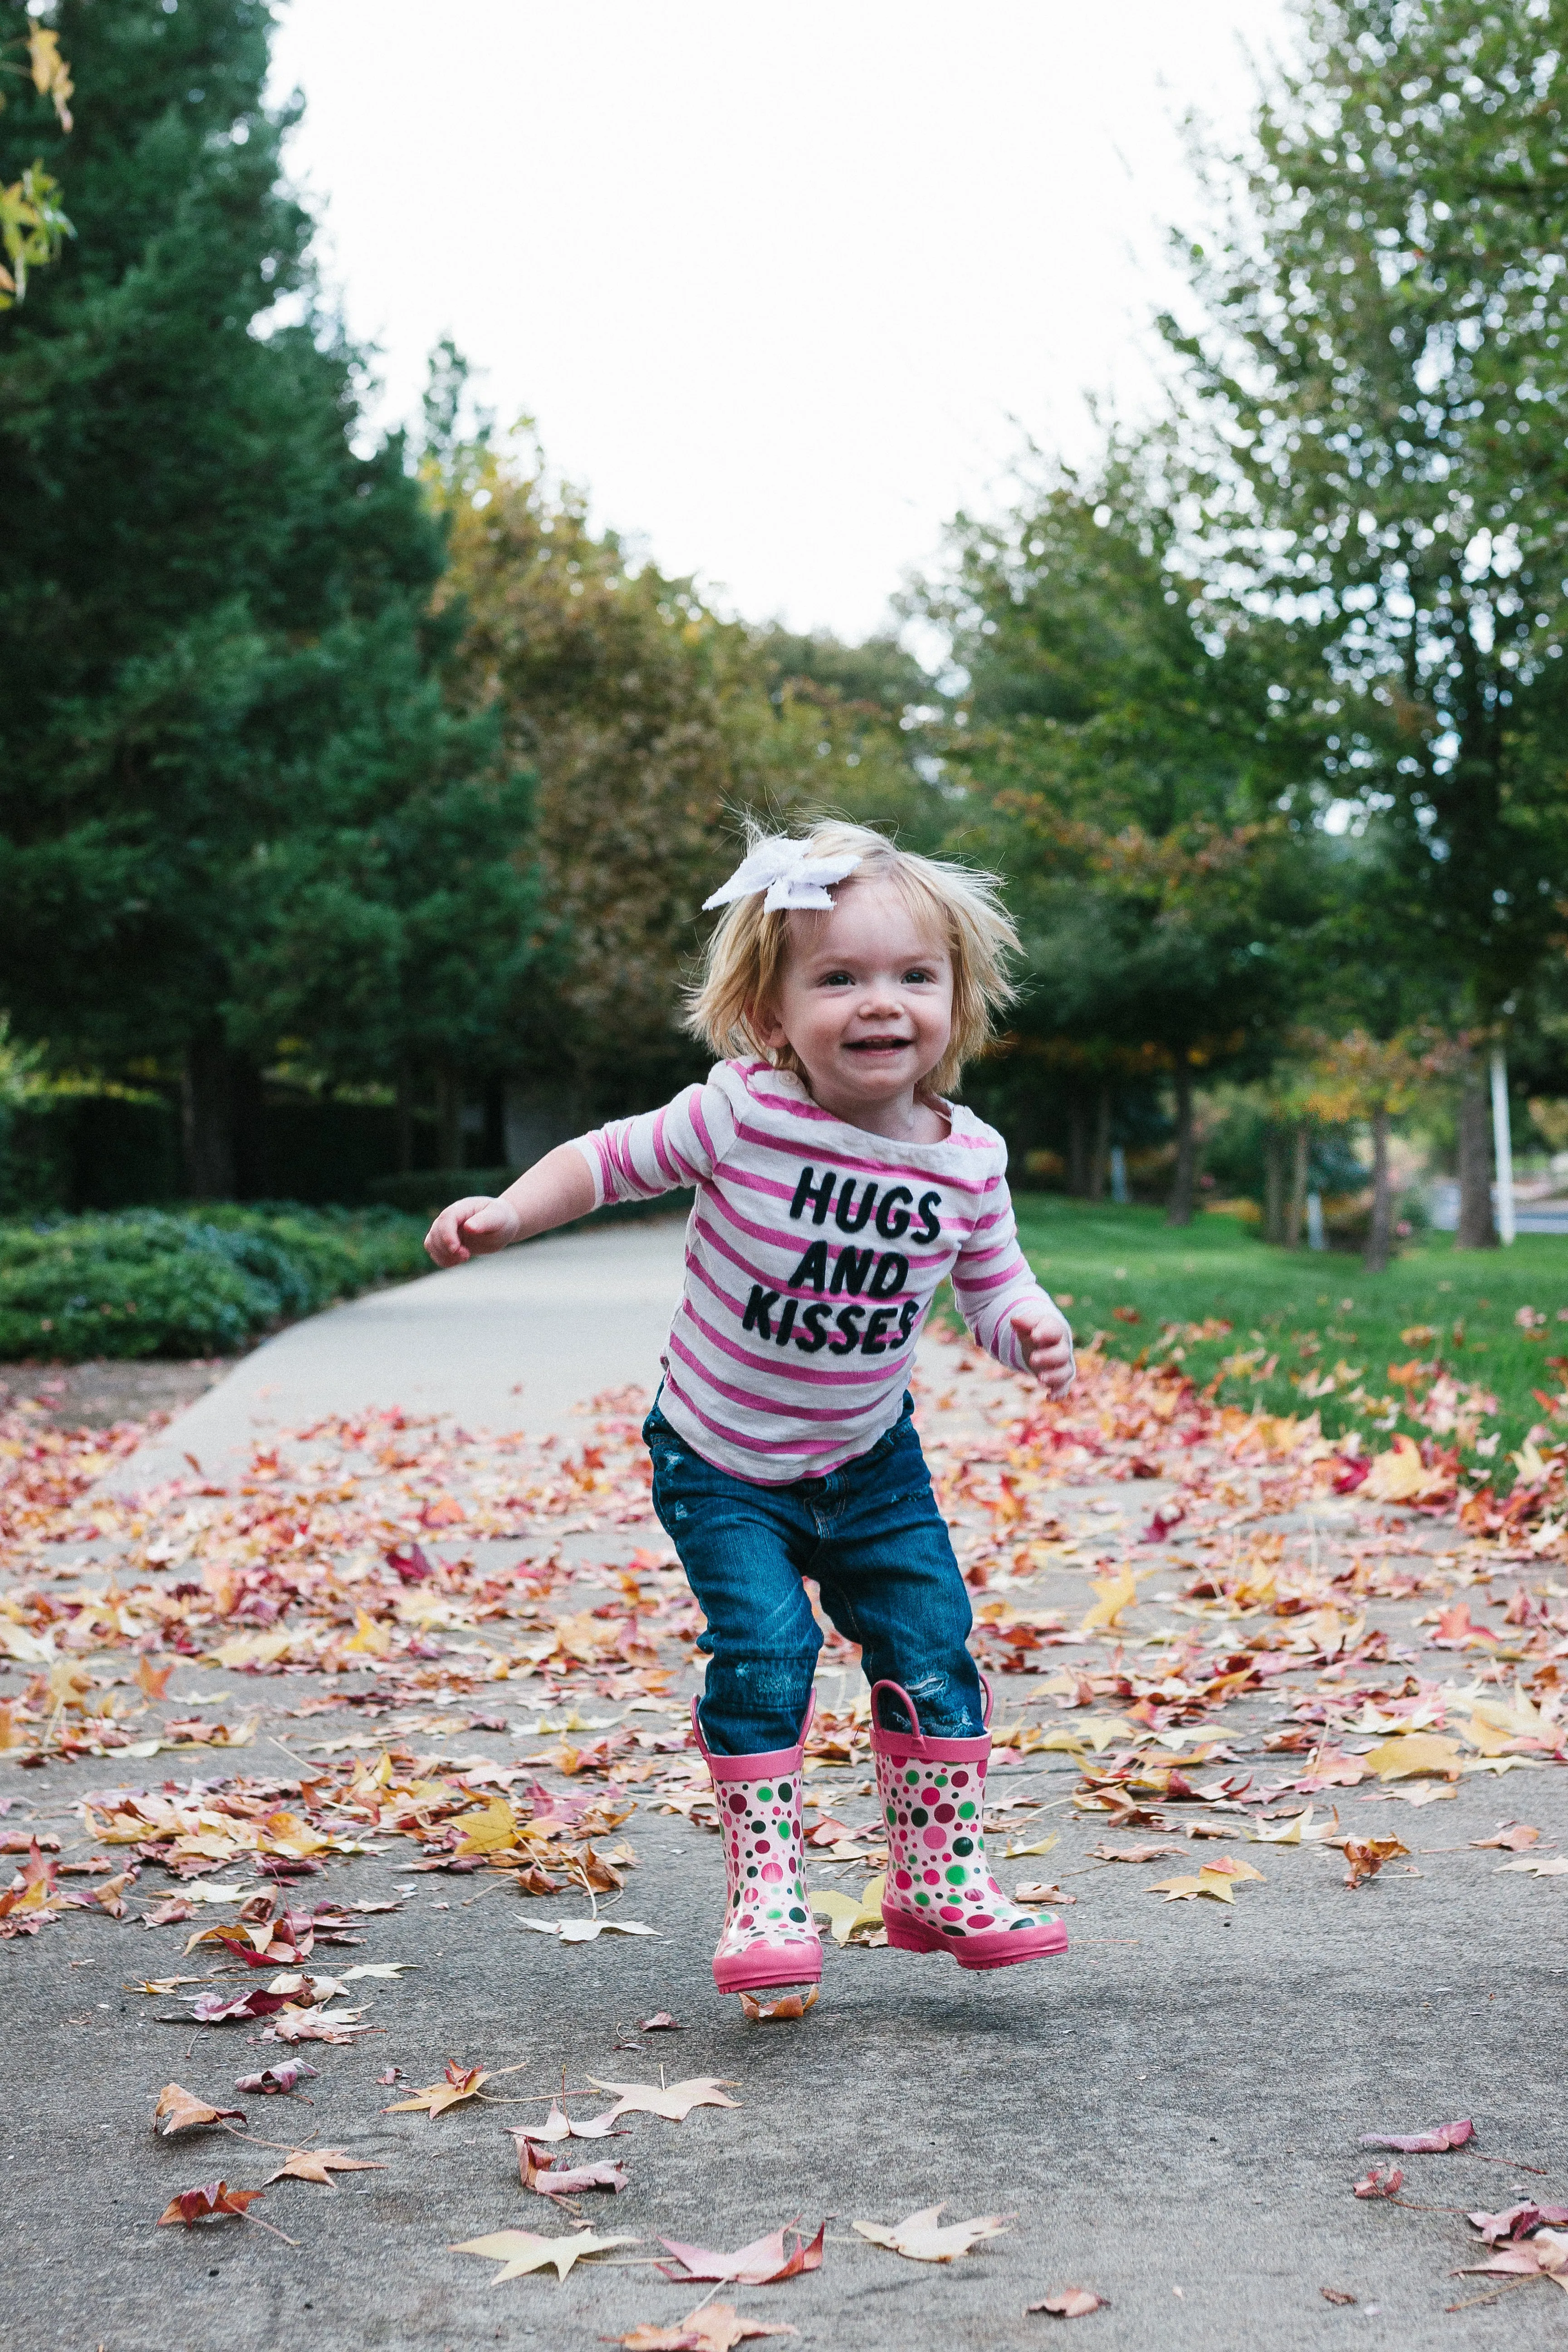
(880, 1553)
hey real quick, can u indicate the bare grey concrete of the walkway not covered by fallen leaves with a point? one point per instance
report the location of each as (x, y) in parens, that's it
(1170, 2116)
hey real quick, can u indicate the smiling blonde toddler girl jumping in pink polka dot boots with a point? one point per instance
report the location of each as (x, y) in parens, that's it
(836, 1187)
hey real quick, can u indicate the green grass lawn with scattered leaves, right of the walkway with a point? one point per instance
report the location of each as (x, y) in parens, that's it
(1311, 1314)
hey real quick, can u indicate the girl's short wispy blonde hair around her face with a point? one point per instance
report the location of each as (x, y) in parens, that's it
(749, 951)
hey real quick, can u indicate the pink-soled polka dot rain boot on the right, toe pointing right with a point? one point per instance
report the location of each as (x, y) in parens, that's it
(939, 1890)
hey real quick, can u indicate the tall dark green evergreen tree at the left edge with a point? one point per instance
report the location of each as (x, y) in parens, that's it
(222, 749)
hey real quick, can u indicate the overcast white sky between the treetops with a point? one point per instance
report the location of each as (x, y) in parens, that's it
(782, 286)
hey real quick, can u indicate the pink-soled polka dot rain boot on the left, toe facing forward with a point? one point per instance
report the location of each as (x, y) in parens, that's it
(770, 1937)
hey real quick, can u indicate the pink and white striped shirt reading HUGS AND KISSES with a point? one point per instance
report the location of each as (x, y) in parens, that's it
(812, 1257)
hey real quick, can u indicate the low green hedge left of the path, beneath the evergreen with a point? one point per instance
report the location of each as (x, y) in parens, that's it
(189, 1283)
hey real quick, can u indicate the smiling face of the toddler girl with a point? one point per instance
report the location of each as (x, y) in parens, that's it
(866, 998)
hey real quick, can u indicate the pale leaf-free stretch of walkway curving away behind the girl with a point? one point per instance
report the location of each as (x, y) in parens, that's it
(502, 1344)
